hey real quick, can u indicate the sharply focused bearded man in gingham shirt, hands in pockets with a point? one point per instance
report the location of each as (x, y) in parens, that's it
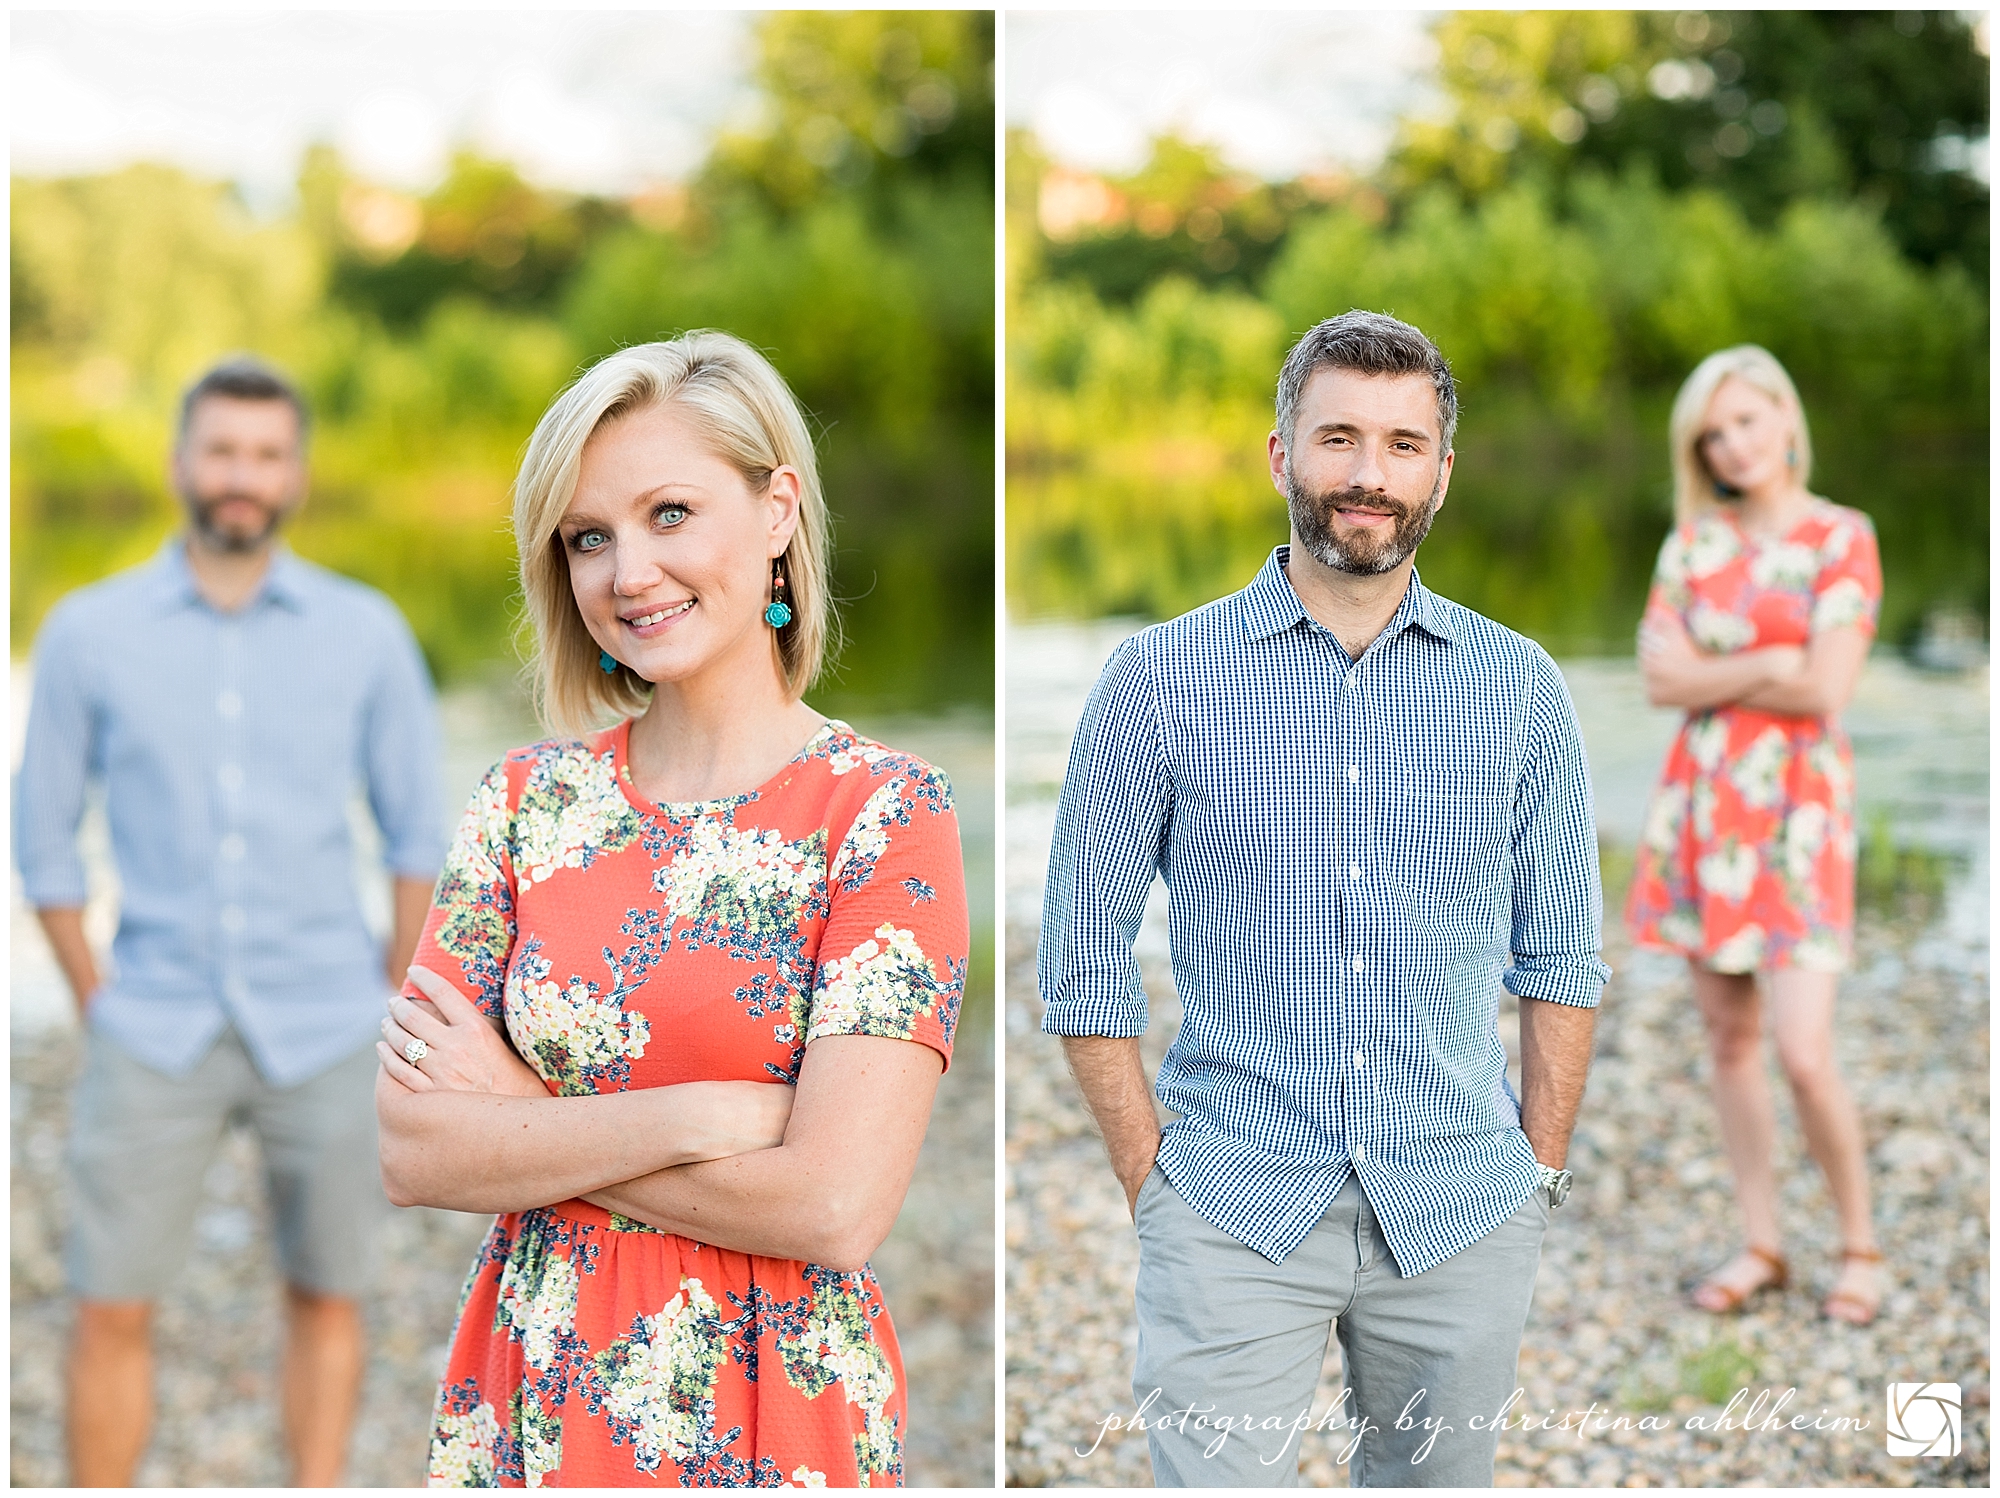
(1373, 813)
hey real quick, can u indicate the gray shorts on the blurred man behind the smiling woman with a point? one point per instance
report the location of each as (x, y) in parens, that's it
(141, 1145)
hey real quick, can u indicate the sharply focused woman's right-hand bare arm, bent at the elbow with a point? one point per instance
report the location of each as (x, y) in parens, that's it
(831, 1193)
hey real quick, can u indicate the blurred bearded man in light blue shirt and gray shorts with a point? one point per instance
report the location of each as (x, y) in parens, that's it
(231, 701)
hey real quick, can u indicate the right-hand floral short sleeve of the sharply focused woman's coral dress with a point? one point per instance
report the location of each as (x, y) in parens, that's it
(893, 953)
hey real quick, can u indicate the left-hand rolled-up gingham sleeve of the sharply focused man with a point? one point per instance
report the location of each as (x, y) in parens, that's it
(1107, 849)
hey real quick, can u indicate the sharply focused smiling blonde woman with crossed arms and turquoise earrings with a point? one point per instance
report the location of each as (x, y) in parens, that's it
(727, 941)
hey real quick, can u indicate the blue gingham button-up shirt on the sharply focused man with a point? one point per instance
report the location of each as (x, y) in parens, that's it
(1359, 857)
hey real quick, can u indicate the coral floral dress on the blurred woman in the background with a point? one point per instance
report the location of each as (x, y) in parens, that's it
(1749, 851)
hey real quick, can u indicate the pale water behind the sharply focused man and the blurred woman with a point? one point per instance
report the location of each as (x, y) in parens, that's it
(1921, 759)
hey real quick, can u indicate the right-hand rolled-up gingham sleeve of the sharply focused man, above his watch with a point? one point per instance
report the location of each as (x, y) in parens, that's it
(1559, 901)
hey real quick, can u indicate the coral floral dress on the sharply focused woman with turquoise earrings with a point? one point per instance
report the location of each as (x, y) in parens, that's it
(635, 945)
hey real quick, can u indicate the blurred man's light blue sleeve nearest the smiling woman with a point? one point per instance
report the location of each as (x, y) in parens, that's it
(401, 757)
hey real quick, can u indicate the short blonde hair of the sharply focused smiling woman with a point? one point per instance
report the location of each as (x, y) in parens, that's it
(745, 409)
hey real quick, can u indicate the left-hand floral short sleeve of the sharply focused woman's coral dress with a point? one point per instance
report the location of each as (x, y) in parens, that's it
(469, 935)
